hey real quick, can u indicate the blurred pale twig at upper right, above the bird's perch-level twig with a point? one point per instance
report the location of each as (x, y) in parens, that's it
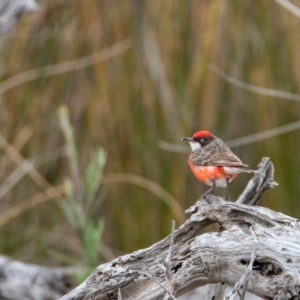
(253, 88)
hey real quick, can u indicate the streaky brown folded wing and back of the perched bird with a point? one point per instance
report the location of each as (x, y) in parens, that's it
(216, 154)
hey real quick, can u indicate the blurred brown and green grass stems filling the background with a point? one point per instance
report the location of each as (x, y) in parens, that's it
(158, 87)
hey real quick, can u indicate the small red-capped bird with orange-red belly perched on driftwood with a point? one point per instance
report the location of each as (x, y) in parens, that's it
(212, 162)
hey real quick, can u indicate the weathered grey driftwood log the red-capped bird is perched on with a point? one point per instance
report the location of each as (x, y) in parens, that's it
(270, 239)
